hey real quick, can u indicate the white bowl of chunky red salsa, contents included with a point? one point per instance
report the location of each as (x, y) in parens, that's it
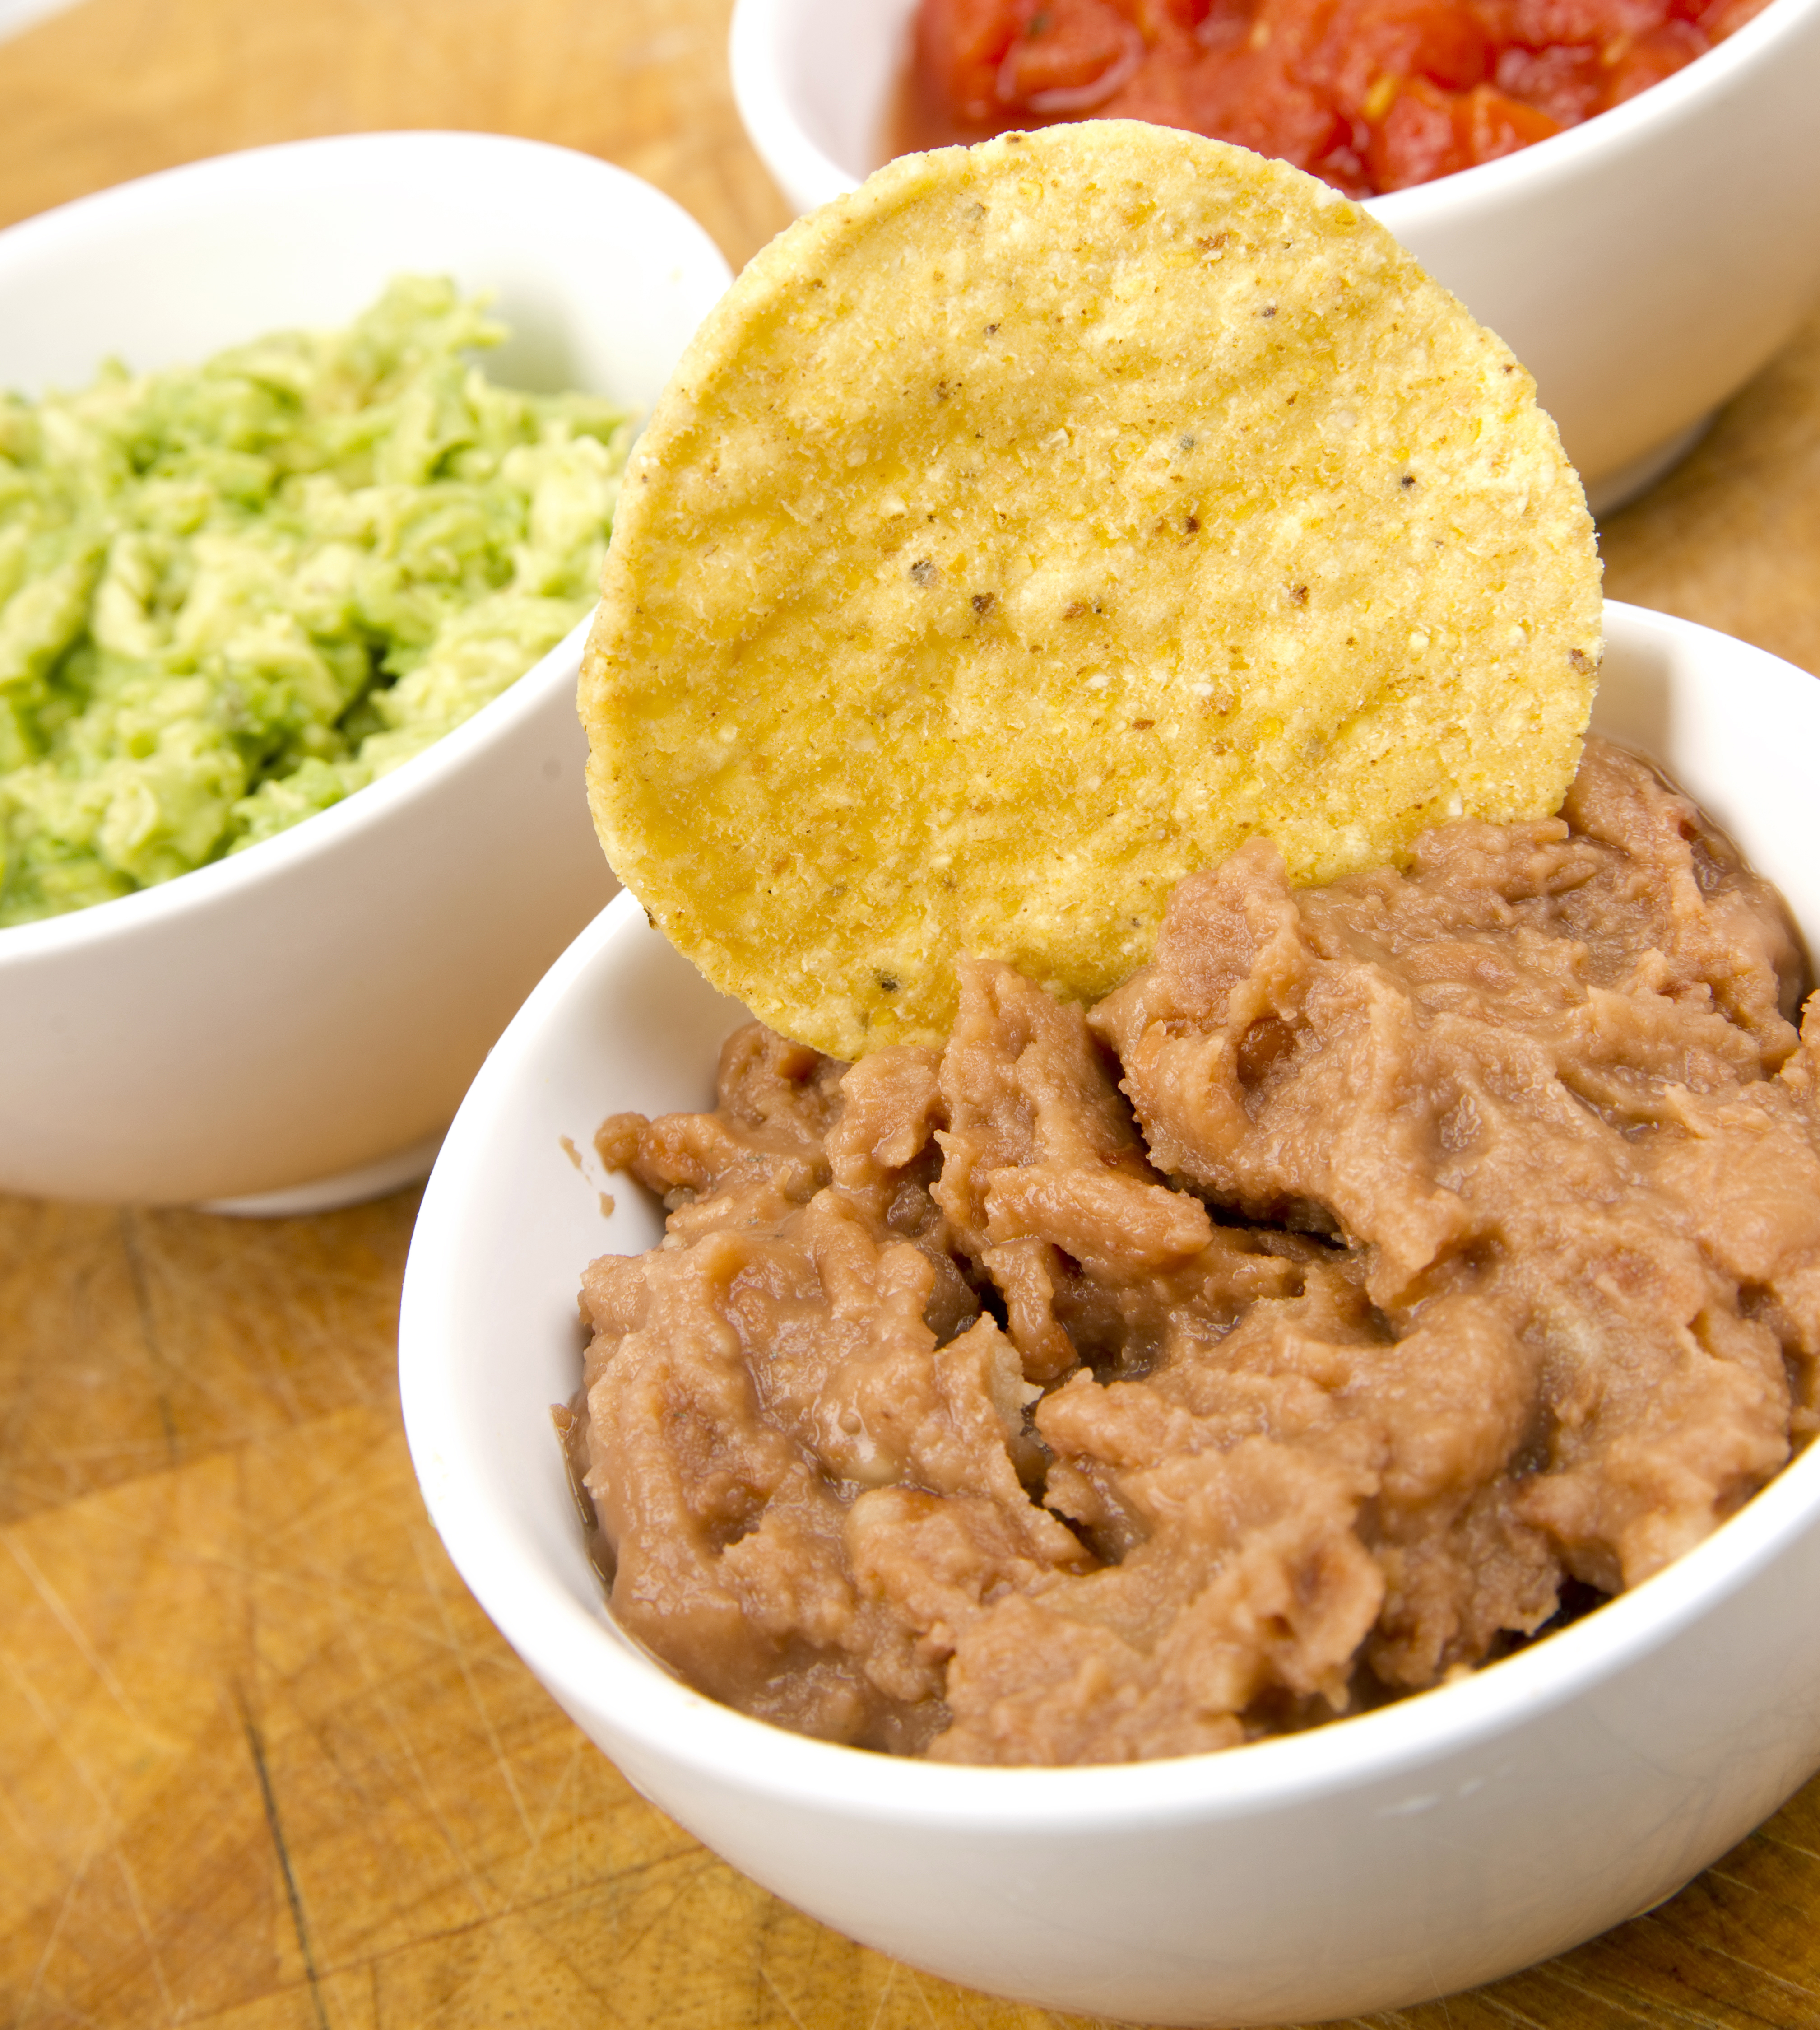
(1628, 192)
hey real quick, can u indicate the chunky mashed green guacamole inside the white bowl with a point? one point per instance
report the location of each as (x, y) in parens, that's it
(234, 594)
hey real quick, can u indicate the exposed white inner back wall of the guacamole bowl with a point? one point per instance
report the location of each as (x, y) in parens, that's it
(600, 275)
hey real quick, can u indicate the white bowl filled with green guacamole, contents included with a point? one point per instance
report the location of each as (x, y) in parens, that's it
(307, 464)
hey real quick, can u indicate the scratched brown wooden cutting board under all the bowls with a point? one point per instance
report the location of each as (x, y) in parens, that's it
(263, 1761)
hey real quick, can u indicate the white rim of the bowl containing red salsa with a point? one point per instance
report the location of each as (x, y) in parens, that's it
(778, 133)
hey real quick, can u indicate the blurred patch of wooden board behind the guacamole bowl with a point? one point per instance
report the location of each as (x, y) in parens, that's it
(119, 88)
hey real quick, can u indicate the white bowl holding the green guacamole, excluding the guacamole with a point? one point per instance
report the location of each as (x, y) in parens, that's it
(311, 1010)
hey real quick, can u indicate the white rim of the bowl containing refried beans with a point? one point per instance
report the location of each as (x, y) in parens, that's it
(593, 1668)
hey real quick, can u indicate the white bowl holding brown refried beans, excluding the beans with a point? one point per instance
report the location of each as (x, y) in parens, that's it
(1375, 1863)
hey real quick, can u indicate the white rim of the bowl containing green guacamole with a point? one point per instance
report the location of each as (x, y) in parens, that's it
(374, 805)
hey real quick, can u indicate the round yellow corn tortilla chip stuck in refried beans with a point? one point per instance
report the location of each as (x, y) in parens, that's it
(1036, 525)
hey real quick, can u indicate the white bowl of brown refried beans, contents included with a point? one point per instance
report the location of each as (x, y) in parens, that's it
(1403, 1568)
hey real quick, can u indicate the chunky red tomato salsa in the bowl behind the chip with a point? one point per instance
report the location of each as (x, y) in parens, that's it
(1369, 94)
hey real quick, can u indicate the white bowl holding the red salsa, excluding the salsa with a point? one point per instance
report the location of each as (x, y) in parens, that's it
(1642, 267)
